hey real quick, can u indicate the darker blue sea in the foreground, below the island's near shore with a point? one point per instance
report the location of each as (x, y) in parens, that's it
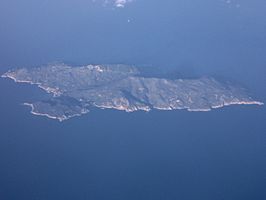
(115, 155)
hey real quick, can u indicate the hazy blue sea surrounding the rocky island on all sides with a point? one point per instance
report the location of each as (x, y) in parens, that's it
(109, 154)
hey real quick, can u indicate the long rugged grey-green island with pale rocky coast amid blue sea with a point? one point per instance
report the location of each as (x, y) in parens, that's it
(77, 89)
